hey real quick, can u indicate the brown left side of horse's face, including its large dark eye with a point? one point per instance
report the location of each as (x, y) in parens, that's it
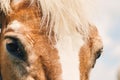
(26, 52)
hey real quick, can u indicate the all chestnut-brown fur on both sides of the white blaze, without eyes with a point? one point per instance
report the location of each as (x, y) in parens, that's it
(46, 65)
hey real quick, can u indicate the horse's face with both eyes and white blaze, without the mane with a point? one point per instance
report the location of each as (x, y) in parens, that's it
(27, 52)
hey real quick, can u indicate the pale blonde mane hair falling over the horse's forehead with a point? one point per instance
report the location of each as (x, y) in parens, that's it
(65, 17)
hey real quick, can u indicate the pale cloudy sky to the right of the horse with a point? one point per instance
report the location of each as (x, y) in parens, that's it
(108, 23)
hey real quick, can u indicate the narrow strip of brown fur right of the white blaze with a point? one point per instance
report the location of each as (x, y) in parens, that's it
(89, 51)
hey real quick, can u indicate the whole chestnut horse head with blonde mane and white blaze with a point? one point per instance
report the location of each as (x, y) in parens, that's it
(47, 40)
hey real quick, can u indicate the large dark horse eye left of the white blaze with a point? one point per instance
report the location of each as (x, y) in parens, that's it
(15, 48)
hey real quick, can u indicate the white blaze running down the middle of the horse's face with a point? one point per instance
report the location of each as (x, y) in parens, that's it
(69, 48)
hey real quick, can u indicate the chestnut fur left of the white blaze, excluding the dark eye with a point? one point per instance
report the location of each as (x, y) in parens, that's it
(46, 66)
